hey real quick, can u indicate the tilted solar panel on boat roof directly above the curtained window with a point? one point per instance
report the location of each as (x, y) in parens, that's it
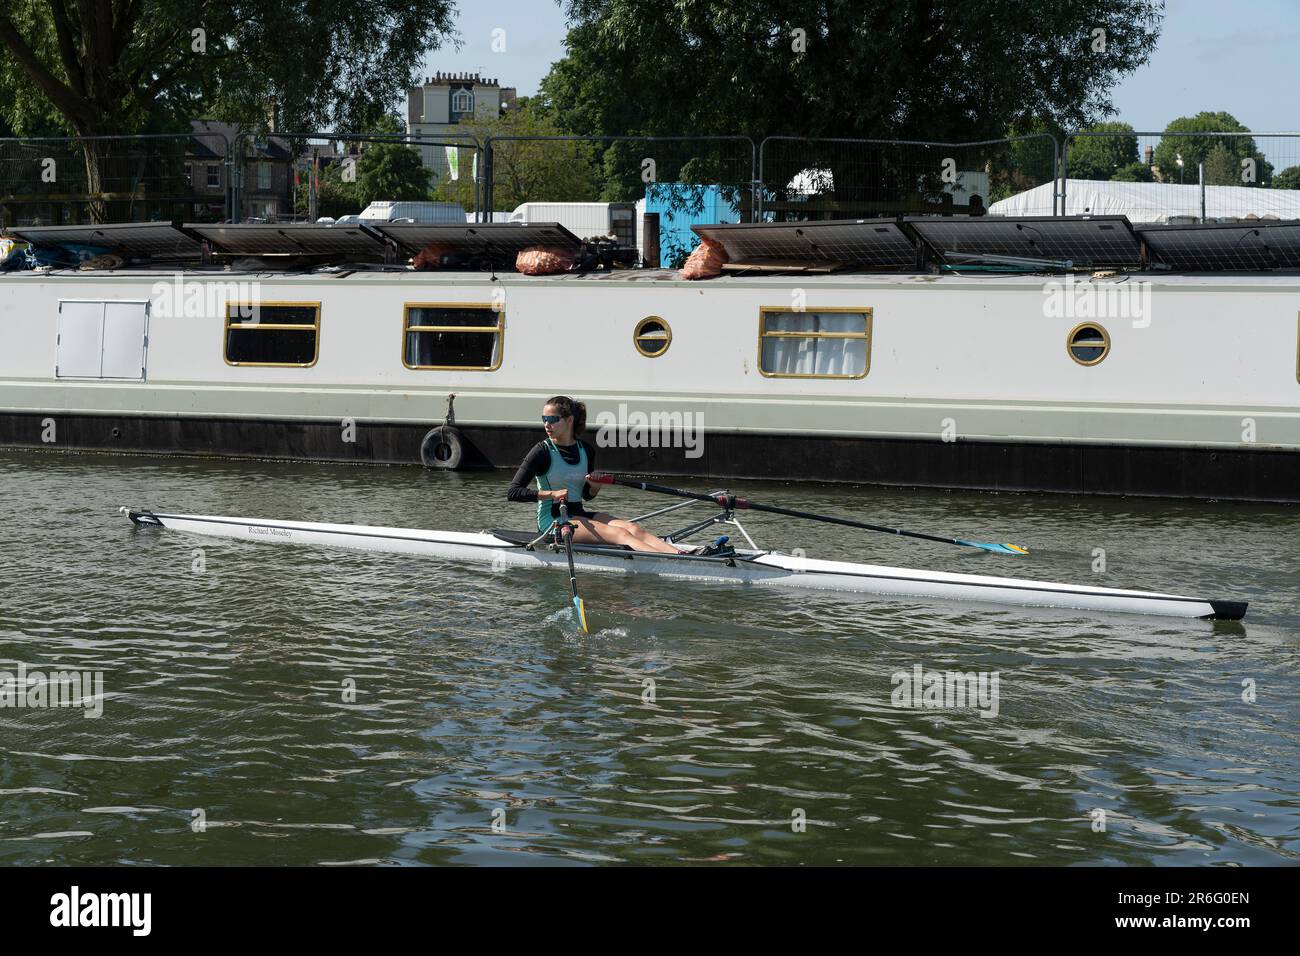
(863, 243)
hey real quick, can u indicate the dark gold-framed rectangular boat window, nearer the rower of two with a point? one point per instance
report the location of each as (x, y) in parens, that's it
(465, 338)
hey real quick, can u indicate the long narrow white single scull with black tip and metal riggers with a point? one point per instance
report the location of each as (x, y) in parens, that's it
(502, 550)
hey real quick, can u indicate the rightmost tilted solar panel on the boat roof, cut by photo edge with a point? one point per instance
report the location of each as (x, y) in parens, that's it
(1225, 246)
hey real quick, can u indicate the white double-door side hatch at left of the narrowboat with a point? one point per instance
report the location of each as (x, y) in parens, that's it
(102, 340)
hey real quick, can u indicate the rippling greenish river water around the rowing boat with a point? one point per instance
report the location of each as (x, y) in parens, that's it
(296, 706)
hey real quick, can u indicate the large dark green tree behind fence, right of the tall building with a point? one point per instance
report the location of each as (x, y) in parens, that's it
(938, 71)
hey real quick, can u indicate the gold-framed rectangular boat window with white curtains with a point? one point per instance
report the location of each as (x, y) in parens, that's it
(816, 344)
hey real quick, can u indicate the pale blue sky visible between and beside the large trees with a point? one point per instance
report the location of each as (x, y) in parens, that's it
(1240, 57)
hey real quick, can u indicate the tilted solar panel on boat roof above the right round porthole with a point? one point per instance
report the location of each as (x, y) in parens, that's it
(1093, 241)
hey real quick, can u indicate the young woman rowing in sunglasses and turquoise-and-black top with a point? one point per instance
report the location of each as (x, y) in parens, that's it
(560, 468)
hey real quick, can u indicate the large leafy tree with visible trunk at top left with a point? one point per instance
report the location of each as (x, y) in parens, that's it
(118, 67)
